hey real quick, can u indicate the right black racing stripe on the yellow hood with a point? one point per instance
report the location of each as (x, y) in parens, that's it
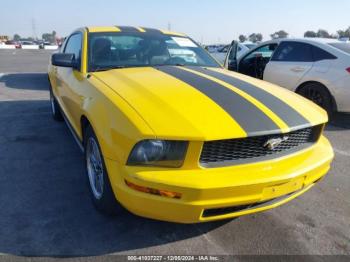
(288, 114)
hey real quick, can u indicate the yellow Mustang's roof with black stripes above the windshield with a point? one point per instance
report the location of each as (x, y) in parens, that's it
(98, 29)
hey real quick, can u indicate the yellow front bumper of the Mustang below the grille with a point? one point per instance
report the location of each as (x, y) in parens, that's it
(271, 183)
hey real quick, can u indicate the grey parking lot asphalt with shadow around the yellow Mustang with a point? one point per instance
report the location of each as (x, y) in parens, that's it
(46, 210)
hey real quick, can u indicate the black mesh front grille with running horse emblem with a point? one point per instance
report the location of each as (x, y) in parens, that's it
(252, 149)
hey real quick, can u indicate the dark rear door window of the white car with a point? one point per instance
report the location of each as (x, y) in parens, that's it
(293, 52)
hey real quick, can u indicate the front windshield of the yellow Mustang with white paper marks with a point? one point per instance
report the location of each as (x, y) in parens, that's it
(119, 50)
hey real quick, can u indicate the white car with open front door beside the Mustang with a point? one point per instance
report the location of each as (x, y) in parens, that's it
(318, 69)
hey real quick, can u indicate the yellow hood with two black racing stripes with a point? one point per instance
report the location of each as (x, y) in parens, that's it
(209, 103)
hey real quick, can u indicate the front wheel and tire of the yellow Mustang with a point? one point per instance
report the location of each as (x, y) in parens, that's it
(97, 177)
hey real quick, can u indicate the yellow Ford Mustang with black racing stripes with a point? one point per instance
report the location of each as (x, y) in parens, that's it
(169, 134)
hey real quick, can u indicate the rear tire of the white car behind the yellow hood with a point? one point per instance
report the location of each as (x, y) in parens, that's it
(318, 94)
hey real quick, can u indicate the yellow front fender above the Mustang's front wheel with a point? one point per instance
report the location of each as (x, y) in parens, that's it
(117, 125)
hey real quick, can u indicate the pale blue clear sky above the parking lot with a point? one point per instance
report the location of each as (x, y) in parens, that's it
(207, 21)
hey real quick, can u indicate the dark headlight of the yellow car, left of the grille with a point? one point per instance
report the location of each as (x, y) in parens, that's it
(158, 153)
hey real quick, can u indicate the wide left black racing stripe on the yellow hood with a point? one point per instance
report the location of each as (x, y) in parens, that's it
(247, 115)
